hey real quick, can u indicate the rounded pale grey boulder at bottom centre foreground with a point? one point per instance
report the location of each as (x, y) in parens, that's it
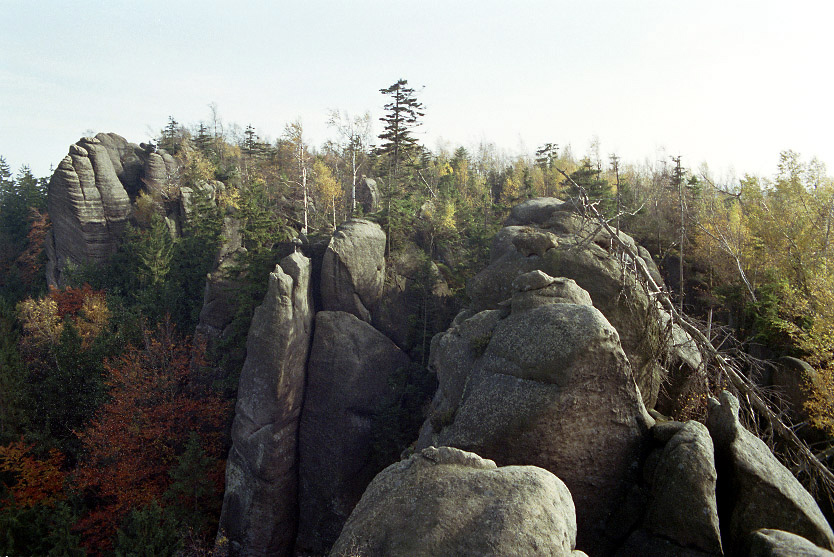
(443, 501)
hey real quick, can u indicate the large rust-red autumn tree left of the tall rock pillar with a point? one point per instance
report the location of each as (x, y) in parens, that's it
(135, 439)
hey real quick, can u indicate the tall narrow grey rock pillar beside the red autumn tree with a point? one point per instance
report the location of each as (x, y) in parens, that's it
(260, 502)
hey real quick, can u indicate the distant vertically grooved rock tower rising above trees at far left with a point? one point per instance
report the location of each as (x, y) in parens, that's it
(88, 206)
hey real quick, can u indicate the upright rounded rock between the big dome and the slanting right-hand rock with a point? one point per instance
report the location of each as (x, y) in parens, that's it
(683, 506)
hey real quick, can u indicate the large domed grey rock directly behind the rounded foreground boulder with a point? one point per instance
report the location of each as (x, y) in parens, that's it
(547, 386)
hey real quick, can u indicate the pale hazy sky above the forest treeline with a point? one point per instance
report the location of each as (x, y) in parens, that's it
(727, 83)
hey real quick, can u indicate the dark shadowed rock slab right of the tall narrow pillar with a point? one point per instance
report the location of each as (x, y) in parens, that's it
(350, 377)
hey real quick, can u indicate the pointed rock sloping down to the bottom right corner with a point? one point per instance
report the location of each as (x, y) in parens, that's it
(761, 491)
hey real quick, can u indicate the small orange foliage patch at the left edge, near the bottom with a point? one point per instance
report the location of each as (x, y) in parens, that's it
(32, 480)
